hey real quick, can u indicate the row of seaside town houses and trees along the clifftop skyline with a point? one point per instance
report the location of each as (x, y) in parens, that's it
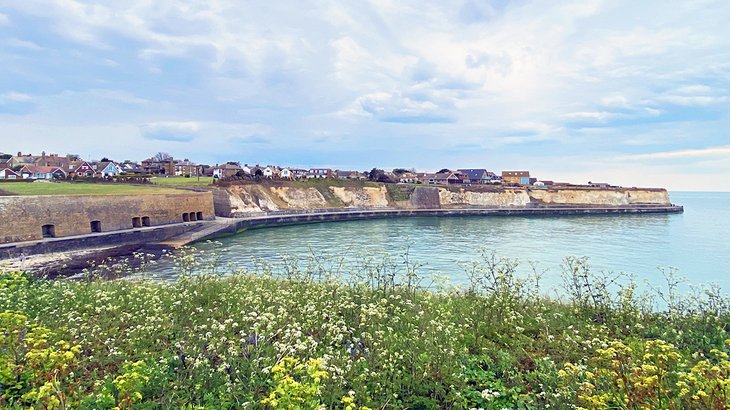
(27, 166)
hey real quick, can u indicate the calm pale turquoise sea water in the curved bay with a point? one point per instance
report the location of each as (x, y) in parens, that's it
(695, 242)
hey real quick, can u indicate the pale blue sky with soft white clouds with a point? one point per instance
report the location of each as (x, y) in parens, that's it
(635, 93)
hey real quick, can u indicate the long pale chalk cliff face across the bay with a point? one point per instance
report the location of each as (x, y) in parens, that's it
(246, 199)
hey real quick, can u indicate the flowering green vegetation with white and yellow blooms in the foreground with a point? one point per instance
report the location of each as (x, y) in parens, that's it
(377, 337)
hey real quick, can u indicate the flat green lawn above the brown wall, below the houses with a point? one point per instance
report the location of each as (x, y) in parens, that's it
(81, 188)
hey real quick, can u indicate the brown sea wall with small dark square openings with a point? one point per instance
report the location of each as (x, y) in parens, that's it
(28, 218)
